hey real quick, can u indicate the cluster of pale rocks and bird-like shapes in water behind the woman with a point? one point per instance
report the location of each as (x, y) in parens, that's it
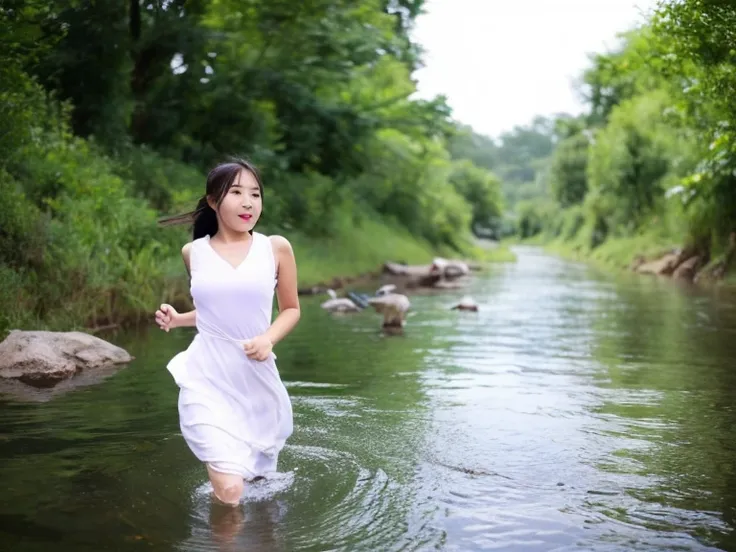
(393, 305)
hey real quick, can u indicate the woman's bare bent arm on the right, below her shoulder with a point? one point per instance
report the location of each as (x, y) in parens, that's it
(286, 290)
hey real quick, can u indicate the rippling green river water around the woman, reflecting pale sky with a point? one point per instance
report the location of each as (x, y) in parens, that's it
(575, 410)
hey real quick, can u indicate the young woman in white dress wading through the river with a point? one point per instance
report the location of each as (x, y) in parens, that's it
(234, 411)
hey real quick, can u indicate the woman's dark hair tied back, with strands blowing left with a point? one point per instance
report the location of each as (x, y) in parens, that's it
(219, 181)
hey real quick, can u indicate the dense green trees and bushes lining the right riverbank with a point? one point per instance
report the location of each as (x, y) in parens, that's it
(655, 155)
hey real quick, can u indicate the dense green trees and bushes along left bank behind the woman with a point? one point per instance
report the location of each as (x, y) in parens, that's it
(112, 112)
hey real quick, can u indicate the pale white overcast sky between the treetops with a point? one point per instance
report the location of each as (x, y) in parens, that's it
(502, 62)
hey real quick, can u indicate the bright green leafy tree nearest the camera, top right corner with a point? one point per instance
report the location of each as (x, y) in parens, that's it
(701, 37)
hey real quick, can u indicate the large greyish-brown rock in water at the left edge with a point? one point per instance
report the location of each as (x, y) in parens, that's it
(43, 359)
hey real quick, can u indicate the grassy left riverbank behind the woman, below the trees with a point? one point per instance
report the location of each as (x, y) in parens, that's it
(124, 287)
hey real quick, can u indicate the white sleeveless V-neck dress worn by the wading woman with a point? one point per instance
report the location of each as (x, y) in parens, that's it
(234, 412)
